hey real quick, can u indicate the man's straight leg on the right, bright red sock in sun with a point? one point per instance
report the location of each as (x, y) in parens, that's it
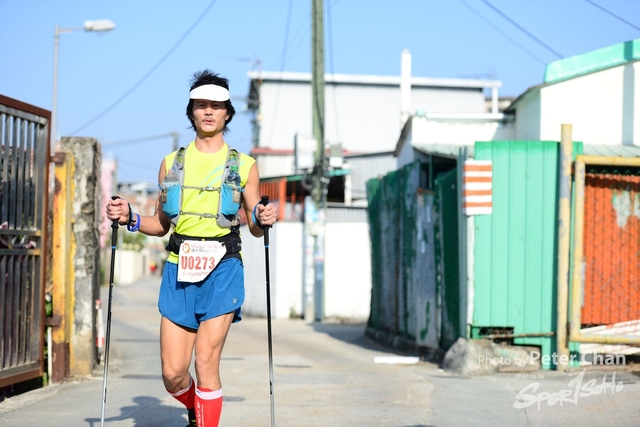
(209, 343)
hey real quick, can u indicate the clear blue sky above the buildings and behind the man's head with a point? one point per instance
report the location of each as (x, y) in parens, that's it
(144, 65)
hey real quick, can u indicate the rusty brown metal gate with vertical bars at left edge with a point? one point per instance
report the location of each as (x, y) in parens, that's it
(24, 154)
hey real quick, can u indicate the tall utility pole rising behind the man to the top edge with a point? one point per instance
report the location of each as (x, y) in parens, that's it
(319, 191)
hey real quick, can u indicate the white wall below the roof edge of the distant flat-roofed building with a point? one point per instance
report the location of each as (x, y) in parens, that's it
(364, 118)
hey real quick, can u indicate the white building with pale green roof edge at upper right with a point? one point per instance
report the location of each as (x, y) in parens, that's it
(598, 92)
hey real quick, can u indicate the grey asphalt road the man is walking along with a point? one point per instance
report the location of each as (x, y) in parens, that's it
(324, 375)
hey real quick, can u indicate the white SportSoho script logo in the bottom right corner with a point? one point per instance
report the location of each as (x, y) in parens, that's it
(527, 397)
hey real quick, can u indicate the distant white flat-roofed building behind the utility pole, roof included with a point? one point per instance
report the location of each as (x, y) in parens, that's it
(364, 114)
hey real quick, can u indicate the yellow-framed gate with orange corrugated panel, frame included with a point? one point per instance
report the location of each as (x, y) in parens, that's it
(606, 266)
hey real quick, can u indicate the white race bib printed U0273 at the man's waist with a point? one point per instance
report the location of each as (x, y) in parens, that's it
(198, 258)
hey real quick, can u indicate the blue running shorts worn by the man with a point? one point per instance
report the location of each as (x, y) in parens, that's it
(187, 304)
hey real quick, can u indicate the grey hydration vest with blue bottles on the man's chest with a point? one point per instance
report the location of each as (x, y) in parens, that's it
(230, 194)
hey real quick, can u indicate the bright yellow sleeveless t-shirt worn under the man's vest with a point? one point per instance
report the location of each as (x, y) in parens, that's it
(202, 170)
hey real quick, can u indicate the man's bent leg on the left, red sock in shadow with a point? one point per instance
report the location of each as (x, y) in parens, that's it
(176, 347)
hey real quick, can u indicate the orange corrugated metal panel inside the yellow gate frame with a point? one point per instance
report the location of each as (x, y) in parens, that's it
(611, 248)
